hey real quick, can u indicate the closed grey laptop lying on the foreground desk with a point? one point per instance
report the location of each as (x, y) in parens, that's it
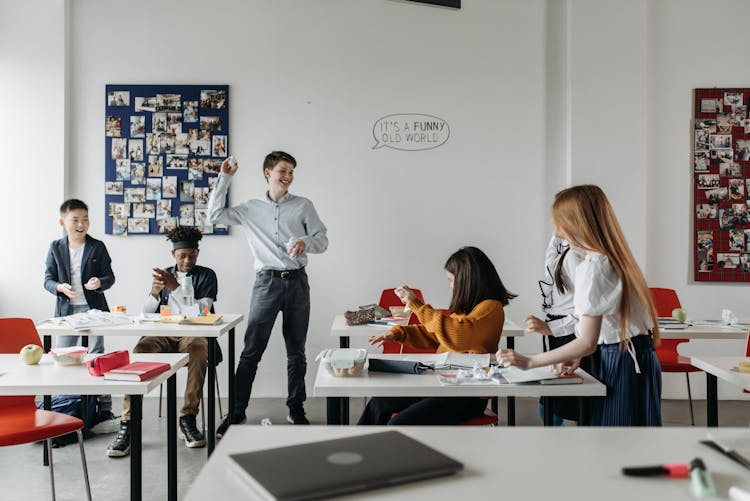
(340, 466)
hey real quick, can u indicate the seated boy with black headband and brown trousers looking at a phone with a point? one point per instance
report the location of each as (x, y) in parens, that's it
(185, 252)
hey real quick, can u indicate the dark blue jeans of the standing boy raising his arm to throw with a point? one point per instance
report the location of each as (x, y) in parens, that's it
(272, 295)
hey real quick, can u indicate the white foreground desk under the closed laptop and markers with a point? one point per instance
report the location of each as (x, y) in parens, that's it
(510, 464)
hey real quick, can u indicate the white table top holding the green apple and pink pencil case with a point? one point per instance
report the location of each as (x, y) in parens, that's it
(48, 378)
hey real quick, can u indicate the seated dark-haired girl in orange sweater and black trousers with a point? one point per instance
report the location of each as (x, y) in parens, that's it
(474, 326)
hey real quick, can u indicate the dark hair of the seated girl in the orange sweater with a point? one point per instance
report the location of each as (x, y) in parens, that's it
(475, 280)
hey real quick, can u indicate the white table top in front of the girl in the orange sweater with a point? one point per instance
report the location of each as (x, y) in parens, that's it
(386, 384)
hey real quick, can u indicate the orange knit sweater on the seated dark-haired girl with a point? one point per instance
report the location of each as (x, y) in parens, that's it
(477, 332)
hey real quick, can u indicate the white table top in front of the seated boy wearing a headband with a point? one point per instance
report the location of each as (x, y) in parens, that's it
(228, 321)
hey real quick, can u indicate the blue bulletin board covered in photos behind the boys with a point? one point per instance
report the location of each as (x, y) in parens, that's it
(164, 145)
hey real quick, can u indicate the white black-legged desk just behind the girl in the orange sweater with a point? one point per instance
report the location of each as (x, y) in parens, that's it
(339, 329)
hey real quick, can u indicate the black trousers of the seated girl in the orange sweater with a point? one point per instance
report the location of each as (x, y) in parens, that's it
(421, 410)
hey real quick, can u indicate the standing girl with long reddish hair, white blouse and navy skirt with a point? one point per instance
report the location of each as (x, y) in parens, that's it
(617, 319)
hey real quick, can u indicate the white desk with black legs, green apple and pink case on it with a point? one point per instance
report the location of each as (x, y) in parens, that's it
(17, 378)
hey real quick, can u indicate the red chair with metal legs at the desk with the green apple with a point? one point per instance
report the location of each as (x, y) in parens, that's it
(20, 421)
